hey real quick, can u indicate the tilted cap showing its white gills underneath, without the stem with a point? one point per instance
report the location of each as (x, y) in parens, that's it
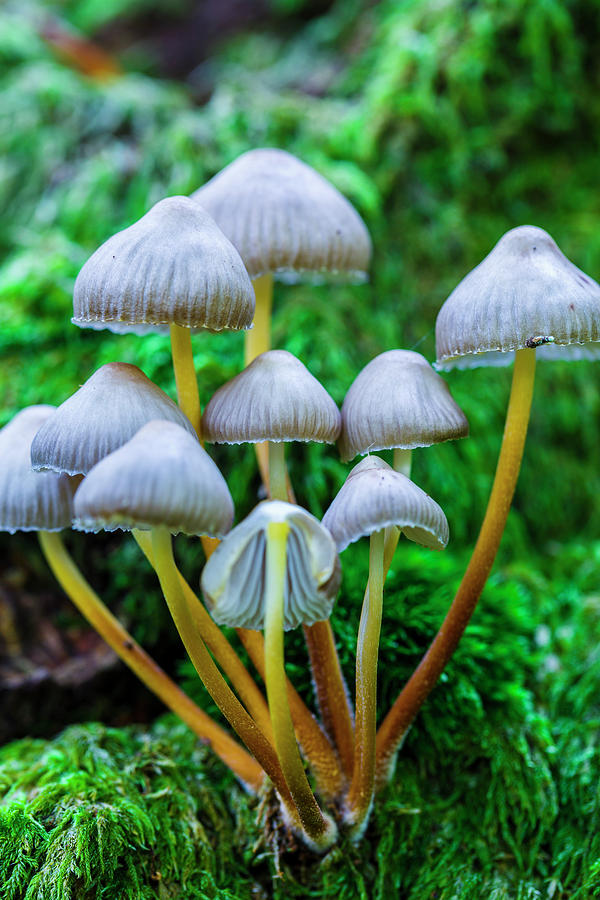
(234, 578)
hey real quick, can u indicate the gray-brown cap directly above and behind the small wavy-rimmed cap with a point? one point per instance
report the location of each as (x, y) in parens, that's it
(398, 401)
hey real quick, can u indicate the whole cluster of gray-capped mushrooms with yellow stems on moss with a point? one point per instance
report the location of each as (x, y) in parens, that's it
(120, 454)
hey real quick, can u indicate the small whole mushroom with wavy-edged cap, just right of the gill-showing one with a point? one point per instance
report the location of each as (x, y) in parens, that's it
(372, 498)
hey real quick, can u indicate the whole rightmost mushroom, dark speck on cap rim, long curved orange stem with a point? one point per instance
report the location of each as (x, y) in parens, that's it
(523, 300)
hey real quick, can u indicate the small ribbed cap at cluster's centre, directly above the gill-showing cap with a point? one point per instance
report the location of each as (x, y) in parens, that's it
(275, 398)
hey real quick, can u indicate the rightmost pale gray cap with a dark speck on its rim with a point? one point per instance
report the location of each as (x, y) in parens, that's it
(524, 290)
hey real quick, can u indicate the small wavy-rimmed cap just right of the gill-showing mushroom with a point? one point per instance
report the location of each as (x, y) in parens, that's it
(373, 497)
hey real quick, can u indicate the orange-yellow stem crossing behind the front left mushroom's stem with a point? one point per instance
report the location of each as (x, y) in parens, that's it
(219, 646)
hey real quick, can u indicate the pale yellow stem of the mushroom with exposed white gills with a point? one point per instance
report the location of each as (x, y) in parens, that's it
(320, 829)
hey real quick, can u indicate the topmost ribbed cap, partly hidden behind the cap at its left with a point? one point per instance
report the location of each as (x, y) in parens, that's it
(285, 218)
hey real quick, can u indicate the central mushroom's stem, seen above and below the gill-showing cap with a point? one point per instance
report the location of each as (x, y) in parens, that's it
(331, 690)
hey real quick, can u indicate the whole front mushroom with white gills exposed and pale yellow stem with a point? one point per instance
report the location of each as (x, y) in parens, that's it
(277, 569)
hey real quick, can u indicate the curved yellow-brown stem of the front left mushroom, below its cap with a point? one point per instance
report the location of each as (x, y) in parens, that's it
(232, 709)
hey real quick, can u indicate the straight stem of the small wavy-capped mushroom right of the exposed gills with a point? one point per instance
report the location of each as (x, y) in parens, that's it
(360, 796)
